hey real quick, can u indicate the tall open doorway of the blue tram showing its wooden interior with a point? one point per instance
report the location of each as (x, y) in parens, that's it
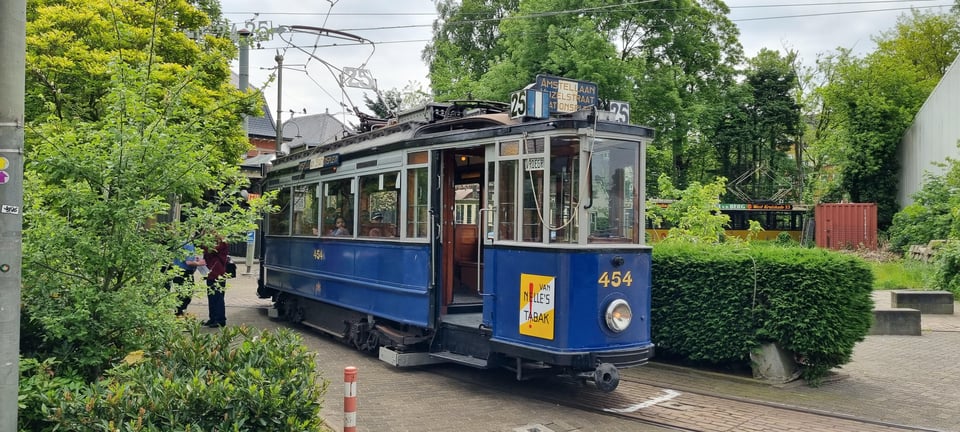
(461, 263)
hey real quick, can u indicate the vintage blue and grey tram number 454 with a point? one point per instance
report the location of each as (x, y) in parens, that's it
(459, 234)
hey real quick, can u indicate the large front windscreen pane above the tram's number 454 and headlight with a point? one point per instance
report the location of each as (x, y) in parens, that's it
(613, 178)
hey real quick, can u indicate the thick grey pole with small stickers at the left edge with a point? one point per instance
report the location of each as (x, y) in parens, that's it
(13, 48)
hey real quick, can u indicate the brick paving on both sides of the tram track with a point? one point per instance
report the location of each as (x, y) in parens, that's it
(905, 380)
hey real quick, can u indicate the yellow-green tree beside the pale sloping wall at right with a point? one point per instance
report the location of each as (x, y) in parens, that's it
(872, 101)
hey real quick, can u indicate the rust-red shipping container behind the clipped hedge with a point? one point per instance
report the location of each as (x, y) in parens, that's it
(846, 225)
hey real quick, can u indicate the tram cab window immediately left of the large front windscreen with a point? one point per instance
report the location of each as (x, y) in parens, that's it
(564, 188)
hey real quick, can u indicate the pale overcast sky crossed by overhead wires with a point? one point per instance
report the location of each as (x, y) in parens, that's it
(401, 28)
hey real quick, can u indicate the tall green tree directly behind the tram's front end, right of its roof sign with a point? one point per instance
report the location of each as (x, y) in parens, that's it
(688, 52)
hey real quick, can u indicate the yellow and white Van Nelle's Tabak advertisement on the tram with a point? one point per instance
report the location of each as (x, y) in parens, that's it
(537, 305)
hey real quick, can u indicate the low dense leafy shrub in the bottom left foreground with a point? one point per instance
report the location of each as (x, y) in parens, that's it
(237, 379)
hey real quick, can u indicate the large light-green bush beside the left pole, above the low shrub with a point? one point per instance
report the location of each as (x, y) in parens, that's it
(93, 250)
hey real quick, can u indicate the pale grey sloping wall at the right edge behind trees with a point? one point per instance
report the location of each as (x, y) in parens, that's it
(933, 136)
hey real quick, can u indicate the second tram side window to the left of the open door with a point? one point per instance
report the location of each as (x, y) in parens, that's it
(379, 205)
